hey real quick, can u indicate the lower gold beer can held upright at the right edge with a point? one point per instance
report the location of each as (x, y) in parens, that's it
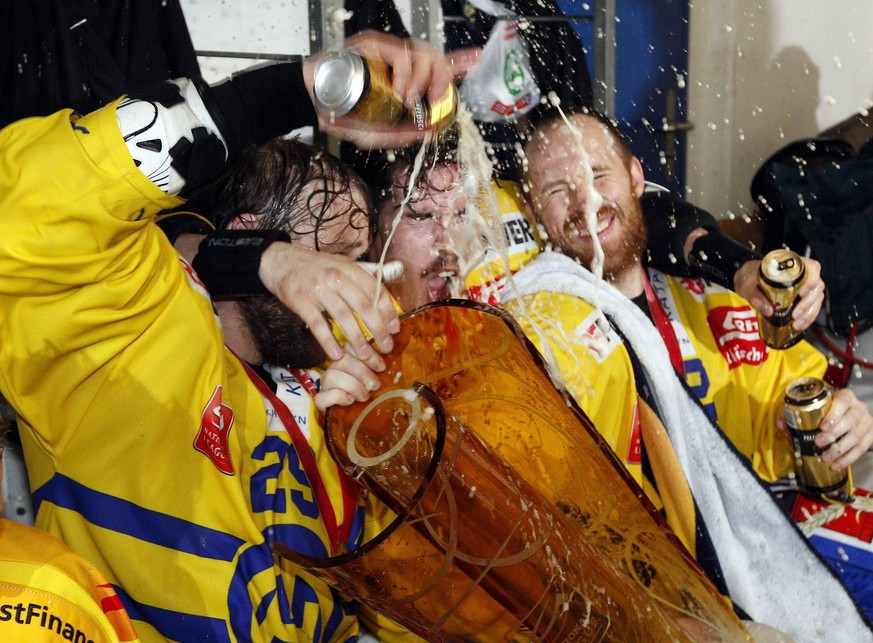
(807, 402)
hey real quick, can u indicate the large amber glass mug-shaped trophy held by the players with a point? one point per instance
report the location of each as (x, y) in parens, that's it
(512, 519)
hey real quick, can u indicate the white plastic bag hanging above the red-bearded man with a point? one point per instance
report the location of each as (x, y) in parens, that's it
(501, 86)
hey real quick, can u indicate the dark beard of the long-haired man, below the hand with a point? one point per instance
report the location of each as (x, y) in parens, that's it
(282, 338)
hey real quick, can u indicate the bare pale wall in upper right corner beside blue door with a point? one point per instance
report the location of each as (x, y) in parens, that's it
(764, 74)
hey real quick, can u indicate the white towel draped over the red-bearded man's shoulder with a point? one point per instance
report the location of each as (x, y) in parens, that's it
(770, 568)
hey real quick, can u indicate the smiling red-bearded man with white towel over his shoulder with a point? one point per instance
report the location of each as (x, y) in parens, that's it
(666, 368)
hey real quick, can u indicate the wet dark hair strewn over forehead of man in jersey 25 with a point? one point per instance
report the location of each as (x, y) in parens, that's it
(290, 185)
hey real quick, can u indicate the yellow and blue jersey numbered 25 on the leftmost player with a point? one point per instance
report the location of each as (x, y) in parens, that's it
(149, 449)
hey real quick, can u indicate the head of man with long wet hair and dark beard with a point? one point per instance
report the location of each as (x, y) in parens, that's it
(319, 202)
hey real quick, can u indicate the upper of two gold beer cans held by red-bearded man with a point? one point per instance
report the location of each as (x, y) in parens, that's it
(780, 277)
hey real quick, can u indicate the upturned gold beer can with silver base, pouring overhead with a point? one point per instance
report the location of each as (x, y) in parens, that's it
(347, 83)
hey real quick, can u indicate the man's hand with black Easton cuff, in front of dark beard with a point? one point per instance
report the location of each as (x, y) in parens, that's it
(318, 285)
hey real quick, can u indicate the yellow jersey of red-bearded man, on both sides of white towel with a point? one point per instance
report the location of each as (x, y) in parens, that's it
(733, 373)
